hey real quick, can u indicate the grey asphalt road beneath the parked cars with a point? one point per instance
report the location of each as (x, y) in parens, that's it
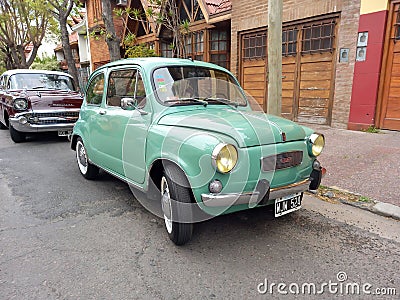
(63, 237)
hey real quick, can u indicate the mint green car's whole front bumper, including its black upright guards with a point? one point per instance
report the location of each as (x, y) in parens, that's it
(262, 193)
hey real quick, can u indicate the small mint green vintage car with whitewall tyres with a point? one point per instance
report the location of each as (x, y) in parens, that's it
(184, 134)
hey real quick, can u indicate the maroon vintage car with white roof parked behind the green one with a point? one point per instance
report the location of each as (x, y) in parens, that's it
(38, 101)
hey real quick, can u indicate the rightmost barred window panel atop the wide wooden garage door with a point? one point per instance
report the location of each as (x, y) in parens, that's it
(318, 37)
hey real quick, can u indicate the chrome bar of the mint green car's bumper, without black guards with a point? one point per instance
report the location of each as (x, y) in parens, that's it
(255, 197)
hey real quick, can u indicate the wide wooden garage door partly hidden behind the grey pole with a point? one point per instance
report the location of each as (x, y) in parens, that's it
(307, 68)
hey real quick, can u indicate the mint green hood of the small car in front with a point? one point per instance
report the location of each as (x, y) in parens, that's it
(248, 128)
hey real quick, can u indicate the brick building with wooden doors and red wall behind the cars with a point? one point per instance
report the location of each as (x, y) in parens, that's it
(340, 57)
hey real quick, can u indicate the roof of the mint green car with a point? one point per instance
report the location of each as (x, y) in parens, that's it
(153, 62)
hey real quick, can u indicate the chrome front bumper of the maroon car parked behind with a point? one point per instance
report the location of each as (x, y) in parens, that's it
(45, 122)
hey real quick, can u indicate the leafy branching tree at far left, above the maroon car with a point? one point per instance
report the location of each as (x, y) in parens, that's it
(23, 23)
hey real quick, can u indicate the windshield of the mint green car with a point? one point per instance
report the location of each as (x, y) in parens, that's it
(189, 85)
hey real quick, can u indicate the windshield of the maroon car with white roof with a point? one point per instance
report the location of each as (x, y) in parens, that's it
(41, 81)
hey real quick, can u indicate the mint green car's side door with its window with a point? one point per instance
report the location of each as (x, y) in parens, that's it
(122, 138)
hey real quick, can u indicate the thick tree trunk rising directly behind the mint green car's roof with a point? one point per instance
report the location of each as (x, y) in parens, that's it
(113, 41)
